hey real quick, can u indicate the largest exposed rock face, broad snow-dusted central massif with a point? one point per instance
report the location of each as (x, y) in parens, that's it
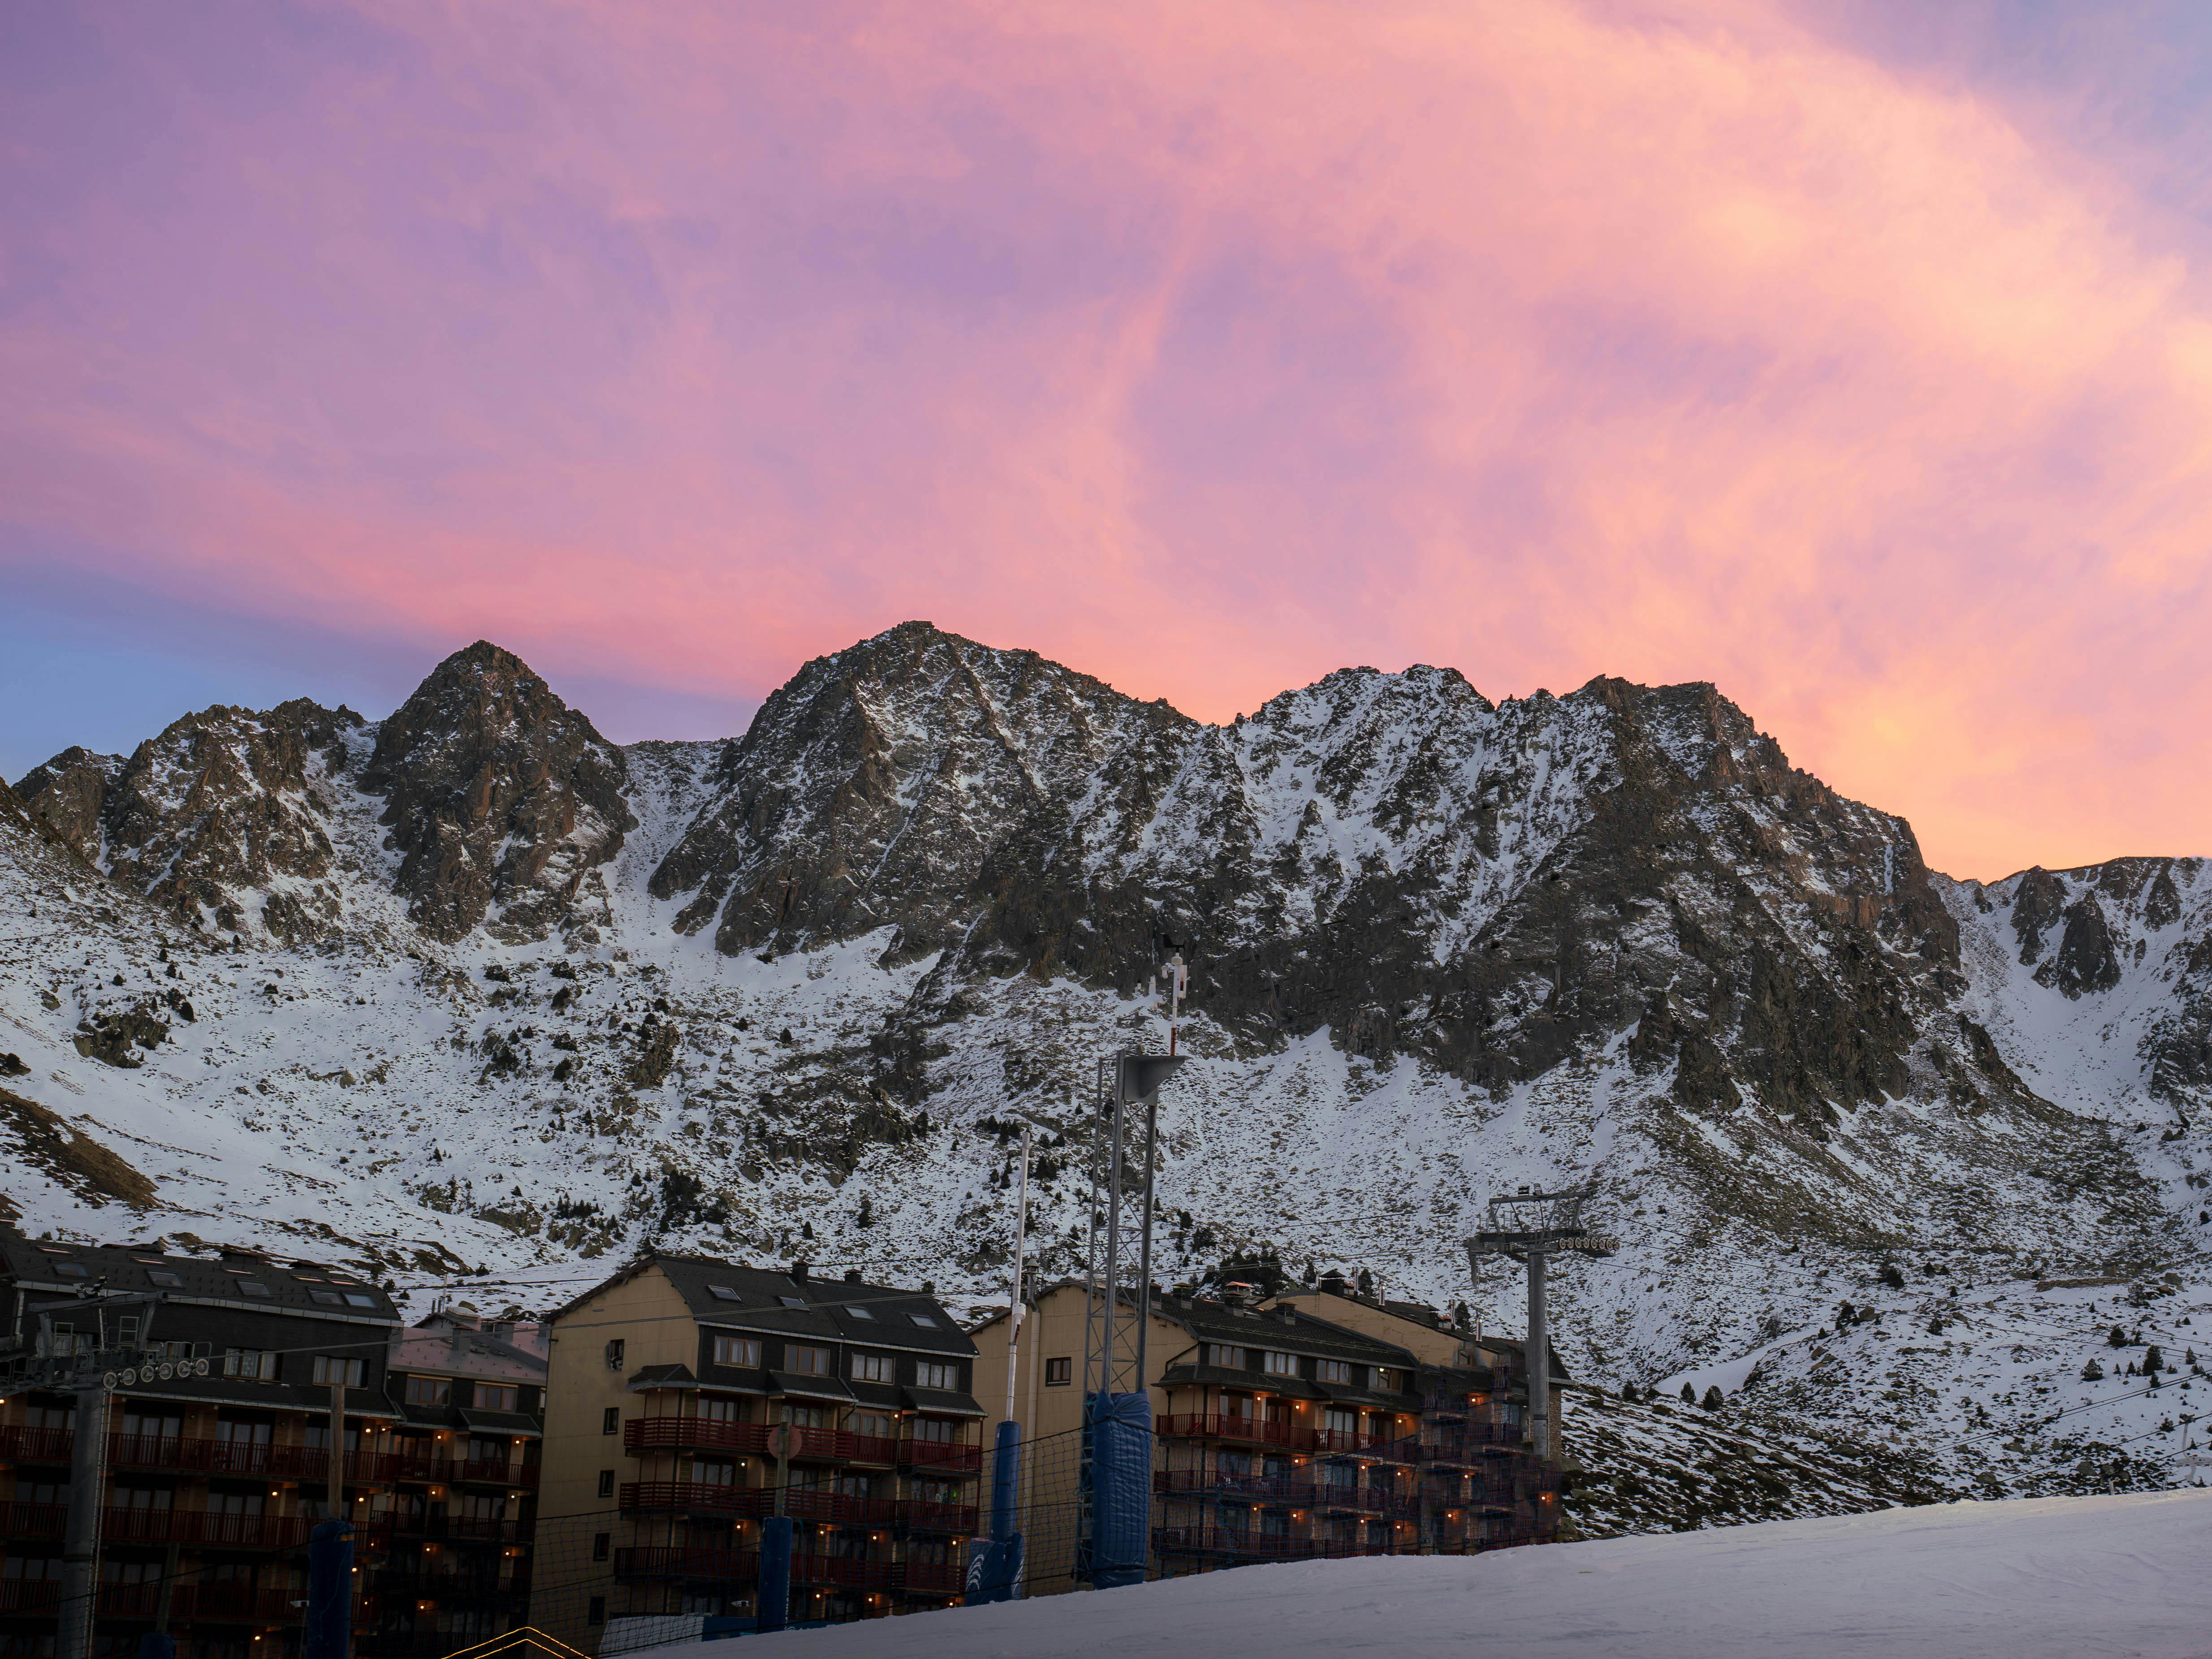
(1390, 857)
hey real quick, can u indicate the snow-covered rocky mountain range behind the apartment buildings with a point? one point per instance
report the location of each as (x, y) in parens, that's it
(474, 988)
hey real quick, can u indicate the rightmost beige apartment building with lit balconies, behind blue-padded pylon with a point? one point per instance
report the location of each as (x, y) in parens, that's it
(1280, 1437)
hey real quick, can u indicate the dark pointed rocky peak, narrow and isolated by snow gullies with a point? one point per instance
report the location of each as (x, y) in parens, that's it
(497, 795)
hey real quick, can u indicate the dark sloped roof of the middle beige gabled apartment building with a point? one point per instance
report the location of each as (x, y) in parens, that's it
(835, 1311)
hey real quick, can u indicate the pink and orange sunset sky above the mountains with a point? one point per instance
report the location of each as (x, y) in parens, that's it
(1855, 357)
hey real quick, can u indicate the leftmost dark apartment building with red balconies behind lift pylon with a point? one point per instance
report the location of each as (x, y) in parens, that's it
(211, 1483)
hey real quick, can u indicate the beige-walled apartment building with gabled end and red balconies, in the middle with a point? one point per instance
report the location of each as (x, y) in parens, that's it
(689, 1399)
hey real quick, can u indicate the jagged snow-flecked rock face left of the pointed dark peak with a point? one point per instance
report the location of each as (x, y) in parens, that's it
(218, 820)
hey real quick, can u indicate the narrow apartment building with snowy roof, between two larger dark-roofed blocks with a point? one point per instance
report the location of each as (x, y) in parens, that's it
(463, 1459)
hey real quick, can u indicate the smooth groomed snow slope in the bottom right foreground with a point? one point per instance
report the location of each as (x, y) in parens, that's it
(2085, 1578)
